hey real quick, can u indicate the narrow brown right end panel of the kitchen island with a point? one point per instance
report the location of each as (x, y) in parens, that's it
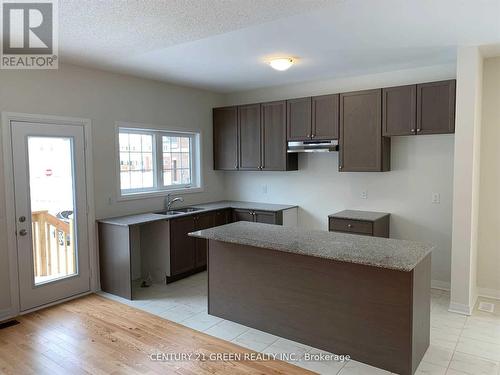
(421, 310)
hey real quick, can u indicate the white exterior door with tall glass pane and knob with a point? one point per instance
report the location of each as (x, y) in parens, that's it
(51, 212)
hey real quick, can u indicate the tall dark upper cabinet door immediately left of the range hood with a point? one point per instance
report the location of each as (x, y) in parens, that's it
(274, 153)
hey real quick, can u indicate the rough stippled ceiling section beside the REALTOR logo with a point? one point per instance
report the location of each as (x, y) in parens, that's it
(91, 28)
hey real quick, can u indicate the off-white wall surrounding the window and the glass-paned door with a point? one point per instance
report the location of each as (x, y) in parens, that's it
(105, 98)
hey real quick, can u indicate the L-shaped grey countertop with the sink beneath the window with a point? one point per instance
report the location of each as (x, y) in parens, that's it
(205, 207)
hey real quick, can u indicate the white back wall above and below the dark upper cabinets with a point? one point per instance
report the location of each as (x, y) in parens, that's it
(421, 165)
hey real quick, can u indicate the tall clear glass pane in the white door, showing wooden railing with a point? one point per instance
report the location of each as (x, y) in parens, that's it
(52, 189)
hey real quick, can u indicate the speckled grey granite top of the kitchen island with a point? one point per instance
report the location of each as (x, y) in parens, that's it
(372, 251)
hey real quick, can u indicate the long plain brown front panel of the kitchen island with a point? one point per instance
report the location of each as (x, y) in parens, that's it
(339, 307)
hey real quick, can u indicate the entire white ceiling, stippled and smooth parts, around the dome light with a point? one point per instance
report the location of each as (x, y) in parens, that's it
(222, 45)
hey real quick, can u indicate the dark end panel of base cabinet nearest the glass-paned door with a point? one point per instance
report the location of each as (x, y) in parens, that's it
(114, 260)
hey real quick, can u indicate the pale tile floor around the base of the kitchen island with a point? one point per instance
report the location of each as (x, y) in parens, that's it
(459, 345)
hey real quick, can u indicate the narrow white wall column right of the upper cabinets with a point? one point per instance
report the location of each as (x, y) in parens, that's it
(466, 180)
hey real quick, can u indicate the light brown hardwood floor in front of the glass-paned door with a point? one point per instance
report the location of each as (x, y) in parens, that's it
(96, 335)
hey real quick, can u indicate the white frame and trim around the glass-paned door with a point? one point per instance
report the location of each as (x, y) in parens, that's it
(7, 118)
